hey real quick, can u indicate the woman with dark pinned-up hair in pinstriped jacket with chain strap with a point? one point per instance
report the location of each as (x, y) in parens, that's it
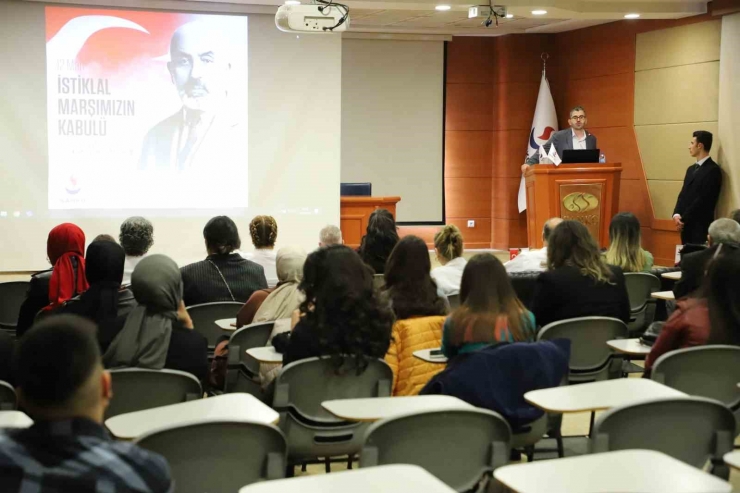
(224, 275)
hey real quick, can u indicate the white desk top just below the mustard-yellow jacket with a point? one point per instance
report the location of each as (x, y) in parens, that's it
(375, 408)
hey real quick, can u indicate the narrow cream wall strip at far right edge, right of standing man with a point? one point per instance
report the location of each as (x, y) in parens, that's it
(729, 113)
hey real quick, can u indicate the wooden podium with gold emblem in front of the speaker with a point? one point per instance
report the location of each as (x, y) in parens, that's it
(588, 193)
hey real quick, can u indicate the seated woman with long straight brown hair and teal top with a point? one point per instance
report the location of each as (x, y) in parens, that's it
(489, 310)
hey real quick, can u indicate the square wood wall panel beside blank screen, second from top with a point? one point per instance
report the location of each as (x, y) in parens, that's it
(469, 107)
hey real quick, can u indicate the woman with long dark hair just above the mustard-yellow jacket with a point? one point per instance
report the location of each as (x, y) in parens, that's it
(408, 284)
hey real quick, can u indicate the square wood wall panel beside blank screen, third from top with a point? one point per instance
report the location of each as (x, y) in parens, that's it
(467, 153)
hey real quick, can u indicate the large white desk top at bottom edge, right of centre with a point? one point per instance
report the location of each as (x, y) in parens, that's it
(624, 471)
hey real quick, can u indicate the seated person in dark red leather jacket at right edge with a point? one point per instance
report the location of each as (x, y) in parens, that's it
(708, 317)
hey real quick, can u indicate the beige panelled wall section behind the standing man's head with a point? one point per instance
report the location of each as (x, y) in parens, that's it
(677, 91)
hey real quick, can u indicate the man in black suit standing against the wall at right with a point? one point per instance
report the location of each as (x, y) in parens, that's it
(694, 210)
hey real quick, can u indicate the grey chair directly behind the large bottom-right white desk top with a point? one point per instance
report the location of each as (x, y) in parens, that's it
(692, 429)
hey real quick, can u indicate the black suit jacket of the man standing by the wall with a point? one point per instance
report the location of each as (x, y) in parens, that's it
(697, 200)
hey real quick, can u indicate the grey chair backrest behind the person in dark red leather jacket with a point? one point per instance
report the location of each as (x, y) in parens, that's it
(705, 371)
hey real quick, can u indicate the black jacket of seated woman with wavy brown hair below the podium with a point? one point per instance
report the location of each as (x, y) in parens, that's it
(566, 293)
